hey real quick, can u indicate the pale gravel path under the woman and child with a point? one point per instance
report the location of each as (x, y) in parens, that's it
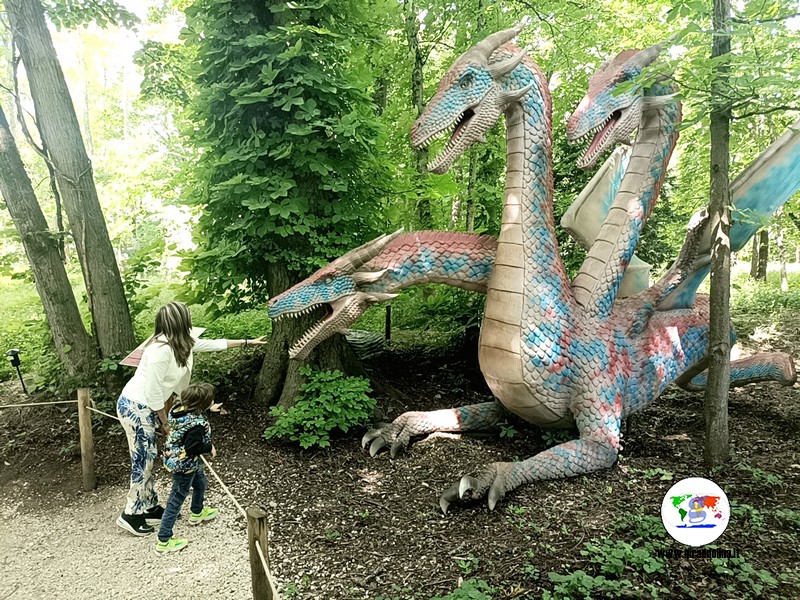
(78, 552)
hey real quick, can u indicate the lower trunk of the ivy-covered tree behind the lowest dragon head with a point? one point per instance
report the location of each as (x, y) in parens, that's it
(279, 378)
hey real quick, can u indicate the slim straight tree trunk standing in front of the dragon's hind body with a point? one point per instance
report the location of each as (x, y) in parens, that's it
(717, 447)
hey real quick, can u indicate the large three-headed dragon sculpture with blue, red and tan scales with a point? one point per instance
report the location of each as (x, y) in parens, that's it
(554, 351)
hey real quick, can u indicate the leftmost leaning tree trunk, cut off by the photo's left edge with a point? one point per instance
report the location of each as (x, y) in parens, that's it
(72, 343)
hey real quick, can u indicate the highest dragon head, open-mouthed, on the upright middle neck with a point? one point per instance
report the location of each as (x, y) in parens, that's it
(470, 98)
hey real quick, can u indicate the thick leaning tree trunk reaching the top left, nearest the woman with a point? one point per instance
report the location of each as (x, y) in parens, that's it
(58, 123)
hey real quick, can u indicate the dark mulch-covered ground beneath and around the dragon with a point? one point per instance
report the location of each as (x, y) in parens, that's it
(344, 525)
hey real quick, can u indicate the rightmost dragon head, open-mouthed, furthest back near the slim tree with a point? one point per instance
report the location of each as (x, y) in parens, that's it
(605, 111)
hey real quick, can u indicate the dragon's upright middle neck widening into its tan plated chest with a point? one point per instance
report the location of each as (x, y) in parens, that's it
(528, 317)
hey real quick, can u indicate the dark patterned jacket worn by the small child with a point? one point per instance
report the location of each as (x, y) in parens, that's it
(190, 437)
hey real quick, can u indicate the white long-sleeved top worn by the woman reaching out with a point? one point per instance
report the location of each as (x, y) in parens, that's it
(158, 375)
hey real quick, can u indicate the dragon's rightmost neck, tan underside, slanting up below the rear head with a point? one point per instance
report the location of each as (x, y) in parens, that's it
(597, 283)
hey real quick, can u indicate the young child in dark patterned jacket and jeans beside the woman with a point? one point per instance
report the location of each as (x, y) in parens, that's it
(190, 436)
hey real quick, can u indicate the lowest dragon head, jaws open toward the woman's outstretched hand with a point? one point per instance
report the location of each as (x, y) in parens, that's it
(337, 286)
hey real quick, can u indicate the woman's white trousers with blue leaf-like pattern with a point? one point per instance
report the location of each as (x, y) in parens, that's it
(139, 423)
